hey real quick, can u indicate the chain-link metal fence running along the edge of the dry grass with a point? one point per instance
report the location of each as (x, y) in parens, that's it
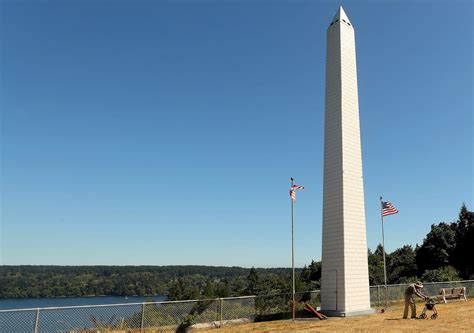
(153, 317)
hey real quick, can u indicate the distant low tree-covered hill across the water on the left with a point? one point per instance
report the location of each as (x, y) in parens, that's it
(55, 281)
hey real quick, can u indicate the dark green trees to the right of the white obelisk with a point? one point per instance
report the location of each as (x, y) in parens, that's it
(446, 254)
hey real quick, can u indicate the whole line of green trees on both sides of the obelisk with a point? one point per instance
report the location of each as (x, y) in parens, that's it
(445, 254)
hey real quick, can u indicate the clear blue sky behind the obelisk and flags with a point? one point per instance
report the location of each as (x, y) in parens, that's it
(160, 132)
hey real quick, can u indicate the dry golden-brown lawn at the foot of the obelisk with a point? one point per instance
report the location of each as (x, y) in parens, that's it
(457, 316)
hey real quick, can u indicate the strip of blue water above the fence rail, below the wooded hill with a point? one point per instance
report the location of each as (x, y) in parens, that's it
(27, 303)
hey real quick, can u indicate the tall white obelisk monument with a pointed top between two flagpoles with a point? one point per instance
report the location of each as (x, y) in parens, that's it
(345, 277)
